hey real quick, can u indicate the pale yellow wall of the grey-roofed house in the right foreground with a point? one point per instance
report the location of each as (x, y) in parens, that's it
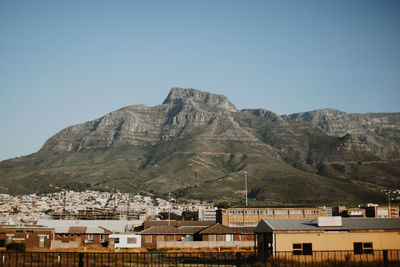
(338, 240)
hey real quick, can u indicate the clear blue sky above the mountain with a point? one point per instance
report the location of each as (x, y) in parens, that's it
(67, 62)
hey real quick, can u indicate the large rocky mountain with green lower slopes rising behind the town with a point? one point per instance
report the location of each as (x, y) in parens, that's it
(198, 145)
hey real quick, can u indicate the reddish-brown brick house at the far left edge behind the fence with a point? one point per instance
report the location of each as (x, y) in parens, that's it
(33, 236)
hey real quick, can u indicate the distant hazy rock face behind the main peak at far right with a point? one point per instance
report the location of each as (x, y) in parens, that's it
(379, 131)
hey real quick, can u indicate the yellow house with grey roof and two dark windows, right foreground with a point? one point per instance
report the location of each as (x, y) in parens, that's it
(306, 236)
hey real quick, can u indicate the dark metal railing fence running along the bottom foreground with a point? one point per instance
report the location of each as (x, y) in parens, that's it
(389, 258)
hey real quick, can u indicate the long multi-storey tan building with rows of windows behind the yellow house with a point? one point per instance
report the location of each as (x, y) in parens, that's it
(251, 216)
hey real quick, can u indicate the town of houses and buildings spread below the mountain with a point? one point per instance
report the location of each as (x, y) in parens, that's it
(104, 221)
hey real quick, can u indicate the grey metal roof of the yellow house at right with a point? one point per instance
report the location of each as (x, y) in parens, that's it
(268, 225)
